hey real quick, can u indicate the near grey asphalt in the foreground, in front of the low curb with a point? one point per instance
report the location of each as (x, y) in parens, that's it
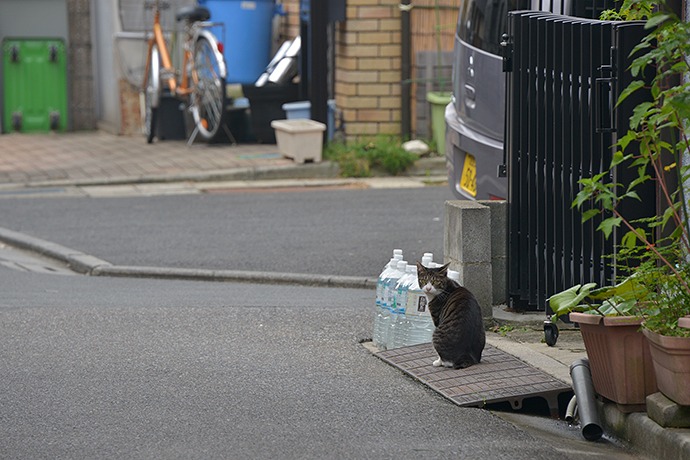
(126, 368)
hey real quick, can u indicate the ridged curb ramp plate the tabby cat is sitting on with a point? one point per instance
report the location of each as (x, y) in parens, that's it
(499, 377)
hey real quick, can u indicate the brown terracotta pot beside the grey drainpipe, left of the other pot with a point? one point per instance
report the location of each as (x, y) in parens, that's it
(619, 358)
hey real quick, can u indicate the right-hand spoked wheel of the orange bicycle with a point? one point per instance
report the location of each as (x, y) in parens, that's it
(207, 99)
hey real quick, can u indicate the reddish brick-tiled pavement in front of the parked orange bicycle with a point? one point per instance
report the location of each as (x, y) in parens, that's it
(99, 157)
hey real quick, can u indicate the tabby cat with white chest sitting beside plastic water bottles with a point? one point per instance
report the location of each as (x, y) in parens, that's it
(459, 336)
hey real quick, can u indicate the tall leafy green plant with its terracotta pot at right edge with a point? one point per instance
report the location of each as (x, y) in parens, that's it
(655, 146)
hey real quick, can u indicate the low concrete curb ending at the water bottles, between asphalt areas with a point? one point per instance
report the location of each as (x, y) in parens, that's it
(90, 265)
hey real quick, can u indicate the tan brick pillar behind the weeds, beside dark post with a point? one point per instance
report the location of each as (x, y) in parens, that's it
(368, 68)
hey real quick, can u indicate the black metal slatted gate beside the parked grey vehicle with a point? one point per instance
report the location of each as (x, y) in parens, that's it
(563, 77)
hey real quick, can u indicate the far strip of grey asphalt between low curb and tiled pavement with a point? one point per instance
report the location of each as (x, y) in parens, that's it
(329, 232)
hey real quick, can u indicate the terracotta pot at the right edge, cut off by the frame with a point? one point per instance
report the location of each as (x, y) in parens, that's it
(671, 357)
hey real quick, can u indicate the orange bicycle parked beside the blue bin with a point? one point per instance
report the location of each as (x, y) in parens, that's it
(201, 83)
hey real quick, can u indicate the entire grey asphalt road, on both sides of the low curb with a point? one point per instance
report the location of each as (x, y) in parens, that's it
(96, 367)
